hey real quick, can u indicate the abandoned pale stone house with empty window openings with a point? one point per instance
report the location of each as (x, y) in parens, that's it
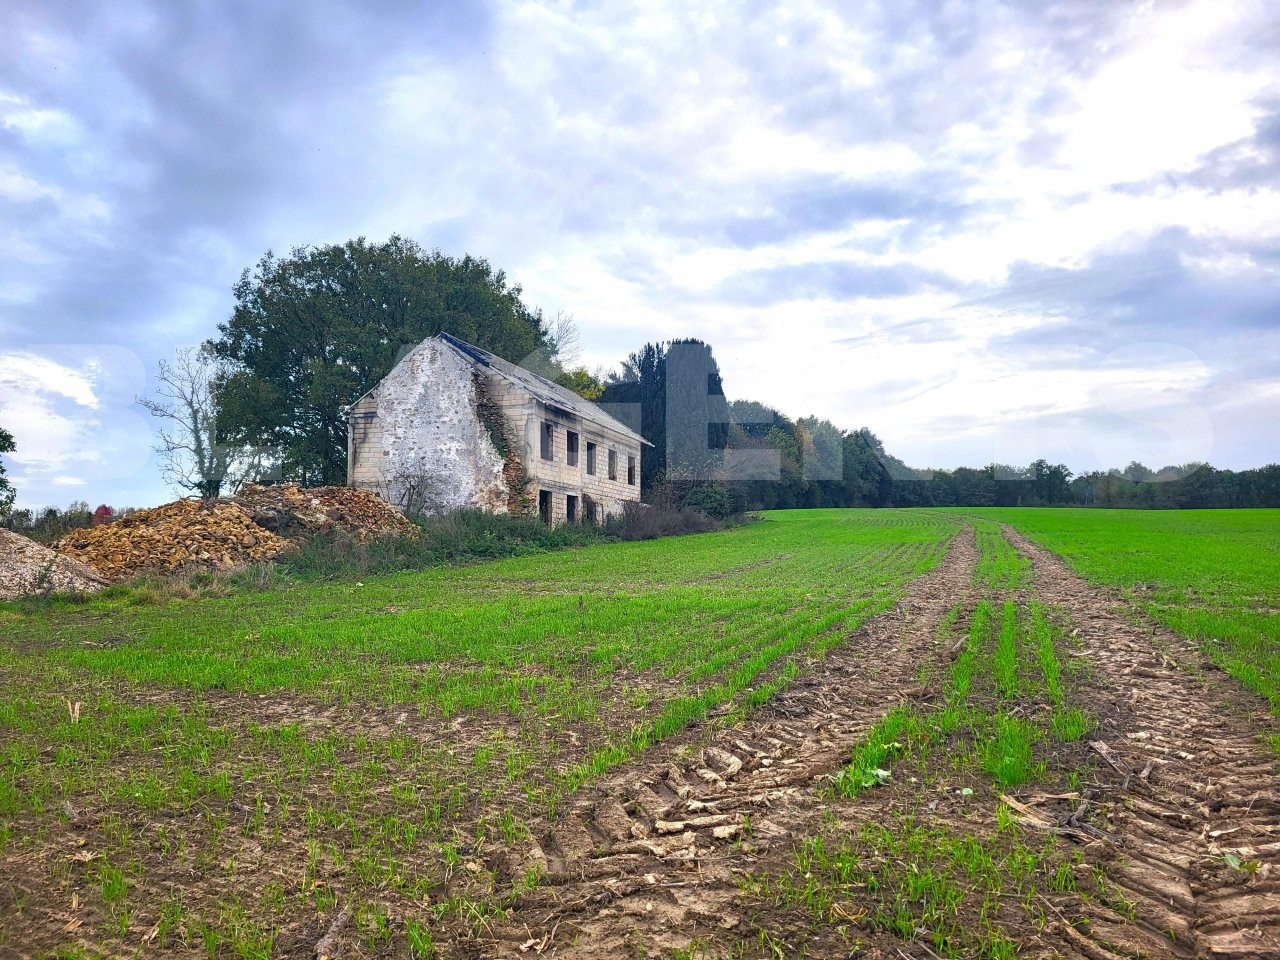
(454, 427)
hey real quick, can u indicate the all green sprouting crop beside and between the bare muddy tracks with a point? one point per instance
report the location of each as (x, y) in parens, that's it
(217, 776)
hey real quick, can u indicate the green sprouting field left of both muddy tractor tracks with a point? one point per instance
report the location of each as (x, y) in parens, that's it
(376, 730)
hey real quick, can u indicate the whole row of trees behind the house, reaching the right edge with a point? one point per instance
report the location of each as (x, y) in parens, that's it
(312, 332)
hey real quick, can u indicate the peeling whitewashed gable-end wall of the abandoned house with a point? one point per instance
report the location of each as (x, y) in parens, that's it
(437, 454)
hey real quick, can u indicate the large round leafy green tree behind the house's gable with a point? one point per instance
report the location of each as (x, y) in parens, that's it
(312, 332)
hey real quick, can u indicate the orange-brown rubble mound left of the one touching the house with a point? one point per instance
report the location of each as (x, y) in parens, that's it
(180, 536)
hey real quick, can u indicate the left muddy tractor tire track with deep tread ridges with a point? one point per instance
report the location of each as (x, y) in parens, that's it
(648, 860)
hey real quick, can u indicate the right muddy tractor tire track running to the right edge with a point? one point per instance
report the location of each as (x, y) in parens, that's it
(1194, 794)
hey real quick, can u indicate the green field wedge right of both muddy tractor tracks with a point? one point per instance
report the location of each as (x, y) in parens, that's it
(1209, 575)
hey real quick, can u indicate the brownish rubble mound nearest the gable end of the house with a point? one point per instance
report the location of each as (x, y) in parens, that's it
(298, 513)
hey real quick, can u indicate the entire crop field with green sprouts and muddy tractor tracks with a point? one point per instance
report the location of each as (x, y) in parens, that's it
(826, 734)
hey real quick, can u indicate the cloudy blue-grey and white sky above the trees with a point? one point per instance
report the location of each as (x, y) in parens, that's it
(985, 231)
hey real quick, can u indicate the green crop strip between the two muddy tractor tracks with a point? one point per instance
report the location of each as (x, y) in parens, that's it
(1002, 717)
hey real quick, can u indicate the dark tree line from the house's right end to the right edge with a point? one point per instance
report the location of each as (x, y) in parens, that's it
(811, 463)
